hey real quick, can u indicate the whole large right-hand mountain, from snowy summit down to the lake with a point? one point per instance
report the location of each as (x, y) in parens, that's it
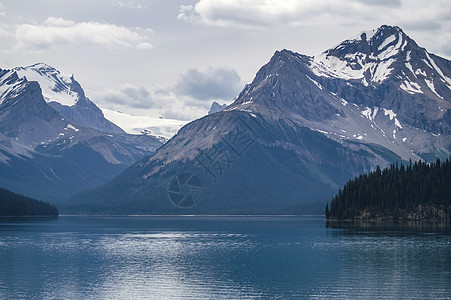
(298, 132)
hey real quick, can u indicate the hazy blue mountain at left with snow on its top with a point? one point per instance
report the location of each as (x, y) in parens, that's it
(46, 154)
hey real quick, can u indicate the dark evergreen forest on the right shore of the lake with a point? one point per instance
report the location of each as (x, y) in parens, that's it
(400, 192)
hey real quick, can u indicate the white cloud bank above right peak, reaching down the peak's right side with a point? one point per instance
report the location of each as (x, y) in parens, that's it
(428, 22)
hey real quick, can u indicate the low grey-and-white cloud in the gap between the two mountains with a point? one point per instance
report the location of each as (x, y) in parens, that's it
(190, 98)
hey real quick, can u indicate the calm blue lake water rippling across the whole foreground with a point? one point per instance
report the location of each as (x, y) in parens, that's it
(222, 258)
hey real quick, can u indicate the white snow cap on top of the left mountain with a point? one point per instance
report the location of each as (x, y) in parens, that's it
(56, 86)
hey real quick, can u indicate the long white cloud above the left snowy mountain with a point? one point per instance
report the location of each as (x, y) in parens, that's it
(56, 32)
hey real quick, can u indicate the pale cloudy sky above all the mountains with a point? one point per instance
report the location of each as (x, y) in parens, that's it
(172, 58)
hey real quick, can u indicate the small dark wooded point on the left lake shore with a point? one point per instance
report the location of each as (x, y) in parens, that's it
(12, 204)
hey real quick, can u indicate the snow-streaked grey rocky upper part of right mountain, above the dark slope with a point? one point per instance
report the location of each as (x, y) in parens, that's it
(379, 88)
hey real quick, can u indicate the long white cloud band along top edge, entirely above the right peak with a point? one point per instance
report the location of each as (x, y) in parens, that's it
(267, 13)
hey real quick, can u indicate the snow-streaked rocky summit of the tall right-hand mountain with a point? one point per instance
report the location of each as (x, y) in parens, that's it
(374, 56)
